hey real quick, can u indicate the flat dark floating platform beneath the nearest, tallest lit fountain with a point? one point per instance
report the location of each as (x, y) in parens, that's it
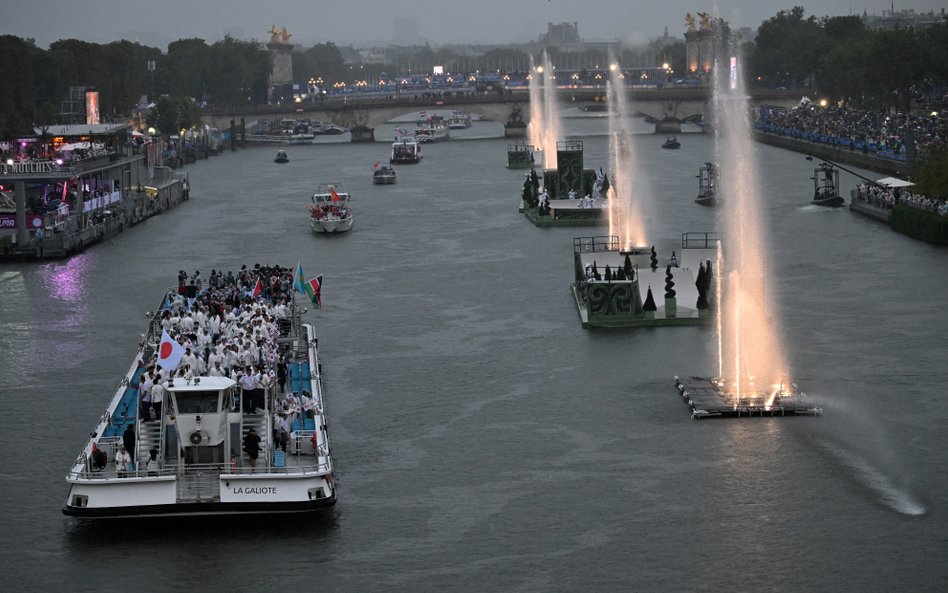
(708, 397)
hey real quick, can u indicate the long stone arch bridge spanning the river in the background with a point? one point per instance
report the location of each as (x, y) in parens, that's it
(666, 107)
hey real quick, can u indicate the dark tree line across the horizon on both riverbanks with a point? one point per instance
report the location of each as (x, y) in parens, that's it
(838, 56)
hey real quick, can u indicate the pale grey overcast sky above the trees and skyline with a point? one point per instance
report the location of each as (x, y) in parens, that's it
(363, 22)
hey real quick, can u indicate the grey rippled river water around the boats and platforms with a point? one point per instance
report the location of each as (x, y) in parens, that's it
(484, 441)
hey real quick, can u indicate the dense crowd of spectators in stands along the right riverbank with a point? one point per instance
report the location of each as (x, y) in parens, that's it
(875, 132)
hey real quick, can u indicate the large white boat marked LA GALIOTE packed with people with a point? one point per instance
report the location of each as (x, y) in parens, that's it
(190, 454)
